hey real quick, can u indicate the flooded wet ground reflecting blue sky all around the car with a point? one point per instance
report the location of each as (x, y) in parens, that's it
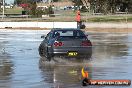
(22, 67)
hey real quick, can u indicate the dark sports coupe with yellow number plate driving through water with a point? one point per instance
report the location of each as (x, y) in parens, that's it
(67, 43)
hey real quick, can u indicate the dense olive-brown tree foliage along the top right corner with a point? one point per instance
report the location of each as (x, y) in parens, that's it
(106, 6)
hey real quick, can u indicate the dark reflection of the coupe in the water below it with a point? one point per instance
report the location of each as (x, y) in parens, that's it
(64, 72)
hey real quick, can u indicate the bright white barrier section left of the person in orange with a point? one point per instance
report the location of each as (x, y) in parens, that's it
(38, 24)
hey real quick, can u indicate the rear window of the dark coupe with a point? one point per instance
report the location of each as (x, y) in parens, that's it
(69, 34)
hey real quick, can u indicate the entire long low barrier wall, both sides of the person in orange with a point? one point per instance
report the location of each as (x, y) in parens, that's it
(62, 25)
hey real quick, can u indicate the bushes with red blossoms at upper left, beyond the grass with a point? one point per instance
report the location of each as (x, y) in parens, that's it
(30, 8)
